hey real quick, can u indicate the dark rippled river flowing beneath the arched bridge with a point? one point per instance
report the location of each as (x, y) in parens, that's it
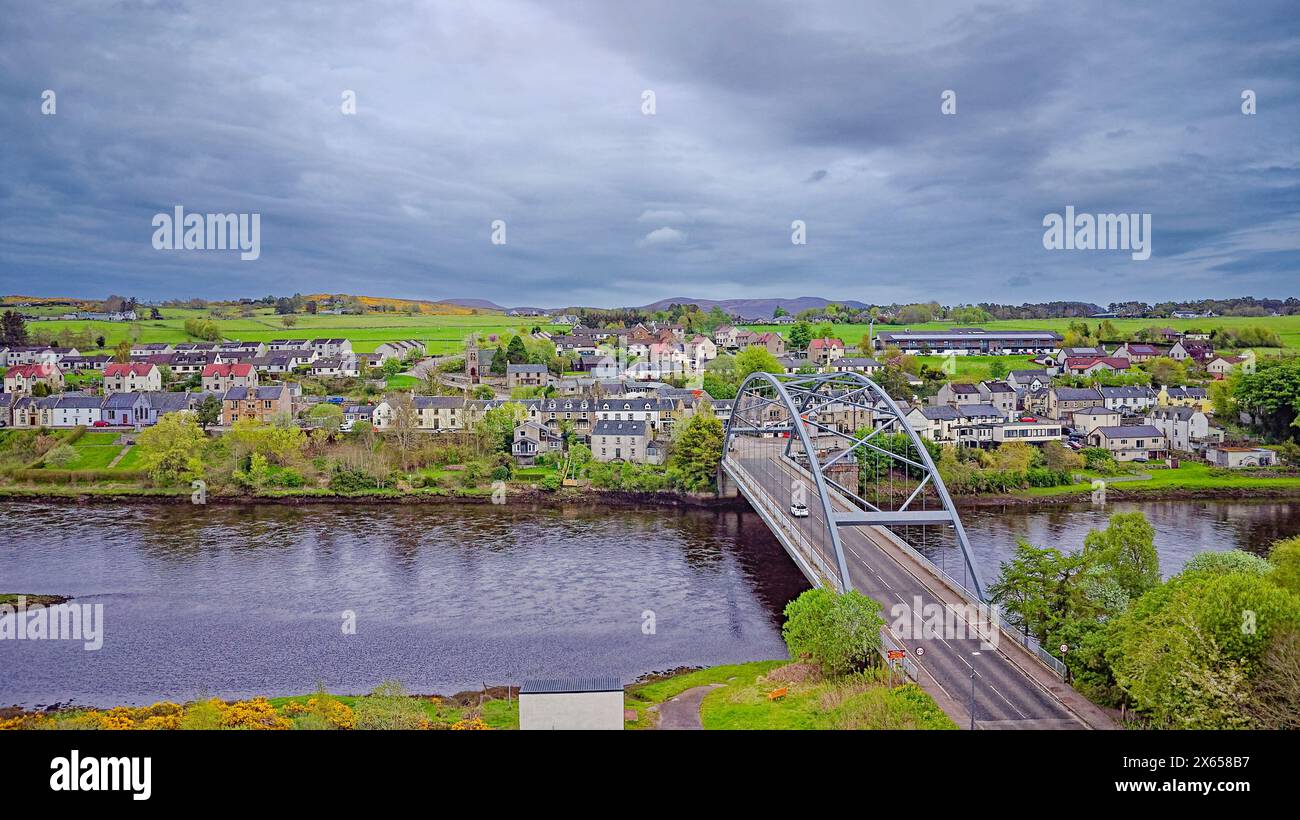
(242, 601)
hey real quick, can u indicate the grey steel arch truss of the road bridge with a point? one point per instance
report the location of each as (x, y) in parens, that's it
(812, 415)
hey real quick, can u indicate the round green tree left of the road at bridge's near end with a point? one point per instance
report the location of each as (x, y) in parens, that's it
(838, 632)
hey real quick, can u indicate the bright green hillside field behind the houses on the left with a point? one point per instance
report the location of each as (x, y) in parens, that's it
(441, 333)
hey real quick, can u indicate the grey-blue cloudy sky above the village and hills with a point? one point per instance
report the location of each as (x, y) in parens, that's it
(765, 114)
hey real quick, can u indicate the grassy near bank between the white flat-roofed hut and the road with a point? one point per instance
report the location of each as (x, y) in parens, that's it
(751, 697)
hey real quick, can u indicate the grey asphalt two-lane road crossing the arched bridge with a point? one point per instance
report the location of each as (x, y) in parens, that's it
(1008, 695)
